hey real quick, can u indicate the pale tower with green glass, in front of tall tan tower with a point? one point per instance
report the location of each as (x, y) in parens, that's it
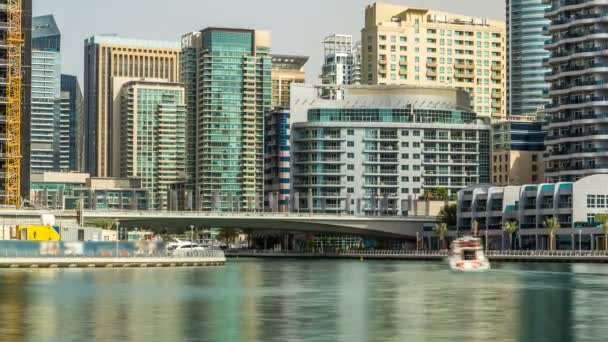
(153, 137)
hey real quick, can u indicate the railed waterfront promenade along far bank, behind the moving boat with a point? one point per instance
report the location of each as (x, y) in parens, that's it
(412, 255)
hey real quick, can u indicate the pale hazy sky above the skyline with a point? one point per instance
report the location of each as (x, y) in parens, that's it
(297, 26)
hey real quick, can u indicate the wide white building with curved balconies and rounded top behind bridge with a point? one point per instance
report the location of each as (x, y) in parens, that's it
(381, 147)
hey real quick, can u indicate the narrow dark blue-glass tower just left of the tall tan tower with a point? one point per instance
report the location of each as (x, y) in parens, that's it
(71, 131)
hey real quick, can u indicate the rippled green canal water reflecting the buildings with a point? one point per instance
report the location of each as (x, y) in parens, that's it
(307, 300)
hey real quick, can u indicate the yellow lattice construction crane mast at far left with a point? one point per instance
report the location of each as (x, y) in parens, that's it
(13, 108)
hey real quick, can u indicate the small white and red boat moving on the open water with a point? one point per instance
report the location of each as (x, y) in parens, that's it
(467, 255)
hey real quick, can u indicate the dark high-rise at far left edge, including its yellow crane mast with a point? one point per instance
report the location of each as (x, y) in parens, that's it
(15, 50)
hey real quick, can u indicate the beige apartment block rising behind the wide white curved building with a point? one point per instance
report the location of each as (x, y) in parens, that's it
(418, 46)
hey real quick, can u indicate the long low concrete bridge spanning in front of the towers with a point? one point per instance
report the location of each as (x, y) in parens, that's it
(389, 226)
